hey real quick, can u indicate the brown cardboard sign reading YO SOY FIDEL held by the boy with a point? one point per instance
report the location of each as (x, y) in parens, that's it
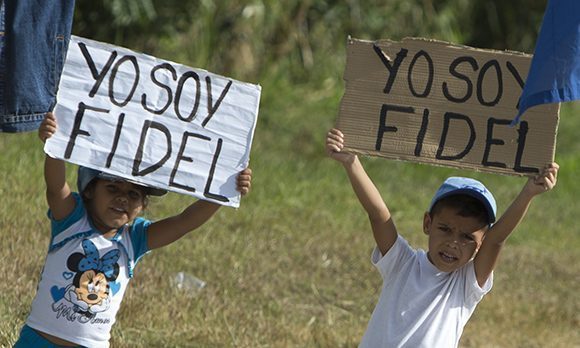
(437, 103)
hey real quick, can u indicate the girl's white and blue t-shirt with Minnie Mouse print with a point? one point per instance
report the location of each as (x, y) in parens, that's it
(71, 302)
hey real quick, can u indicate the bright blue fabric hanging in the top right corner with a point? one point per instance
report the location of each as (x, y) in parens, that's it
(554, 74)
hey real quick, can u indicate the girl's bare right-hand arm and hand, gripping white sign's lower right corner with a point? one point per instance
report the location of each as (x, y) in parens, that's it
(169, 230)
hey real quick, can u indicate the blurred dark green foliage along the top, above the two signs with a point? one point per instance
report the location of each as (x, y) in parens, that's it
(302, 39)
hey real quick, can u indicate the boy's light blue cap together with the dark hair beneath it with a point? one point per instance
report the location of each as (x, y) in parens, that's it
(468, 196)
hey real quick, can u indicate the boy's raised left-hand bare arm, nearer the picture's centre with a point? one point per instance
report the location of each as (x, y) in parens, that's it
(384, 230)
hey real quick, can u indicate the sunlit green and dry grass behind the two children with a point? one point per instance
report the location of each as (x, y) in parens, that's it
(291, 268)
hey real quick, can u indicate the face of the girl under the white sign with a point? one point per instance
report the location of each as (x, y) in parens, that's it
(113, 204)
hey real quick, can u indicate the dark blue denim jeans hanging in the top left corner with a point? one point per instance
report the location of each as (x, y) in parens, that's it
(34, 36)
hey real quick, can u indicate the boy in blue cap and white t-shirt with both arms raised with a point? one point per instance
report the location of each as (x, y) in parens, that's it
(427, 297)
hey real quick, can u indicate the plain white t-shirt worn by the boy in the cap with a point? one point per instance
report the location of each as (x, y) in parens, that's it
(419, 305)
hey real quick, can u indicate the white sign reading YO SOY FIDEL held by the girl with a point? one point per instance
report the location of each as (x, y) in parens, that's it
(153, 121)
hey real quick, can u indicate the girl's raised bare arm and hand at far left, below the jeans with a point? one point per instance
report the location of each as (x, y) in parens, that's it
(58, 193)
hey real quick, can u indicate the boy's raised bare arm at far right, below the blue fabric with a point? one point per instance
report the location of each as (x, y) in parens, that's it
(488, 255)
